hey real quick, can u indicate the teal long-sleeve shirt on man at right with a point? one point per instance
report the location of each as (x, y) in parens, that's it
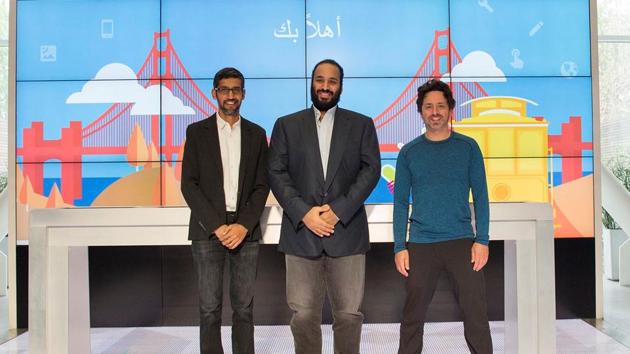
(439, 176)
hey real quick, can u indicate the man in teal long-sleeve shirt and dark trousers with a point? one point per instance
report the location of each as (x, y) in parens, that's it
(439, 169)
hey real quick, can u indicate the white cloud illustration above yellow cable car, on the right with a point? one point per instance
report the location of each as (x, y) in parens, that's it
(477, 66)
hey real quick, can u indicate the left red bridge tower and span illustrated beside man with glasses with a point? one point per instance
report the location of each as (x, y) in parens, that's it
(109, 133)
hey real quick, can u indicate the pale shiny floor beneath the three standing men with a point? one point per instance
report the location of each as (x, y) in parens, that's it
(573, 336)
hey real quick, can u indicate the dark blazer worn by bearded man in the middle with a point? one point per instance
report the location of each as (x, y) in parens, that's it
(297, 181)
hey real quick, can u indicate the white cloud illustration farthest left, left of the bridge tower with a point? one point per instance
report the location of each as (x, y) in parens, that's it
(113, 83)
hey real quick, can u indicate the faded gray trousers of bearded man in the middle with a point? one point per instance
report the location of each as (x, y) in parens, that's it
(308, 281)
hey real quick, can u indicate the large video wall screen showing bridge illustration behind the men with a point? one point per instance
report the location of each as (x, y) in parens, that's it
(105, 89)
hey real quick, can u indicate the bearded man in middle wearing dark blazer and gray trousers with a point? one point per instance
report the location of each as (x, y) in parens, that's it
(324, 162)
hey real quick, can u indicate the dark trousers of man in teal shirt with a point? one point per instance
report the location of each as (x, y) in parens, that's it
(426, 262)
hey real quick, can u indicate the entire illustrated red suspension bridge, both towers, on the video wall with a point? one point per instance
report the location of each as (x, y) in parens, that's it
(109, 133)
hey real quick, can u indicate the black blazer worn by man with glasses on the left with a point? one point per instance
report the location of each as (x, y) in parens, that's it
(202, 178)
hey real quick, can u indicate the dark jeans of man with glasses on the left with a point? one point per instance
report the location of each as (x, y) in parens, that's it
(209, 257)
